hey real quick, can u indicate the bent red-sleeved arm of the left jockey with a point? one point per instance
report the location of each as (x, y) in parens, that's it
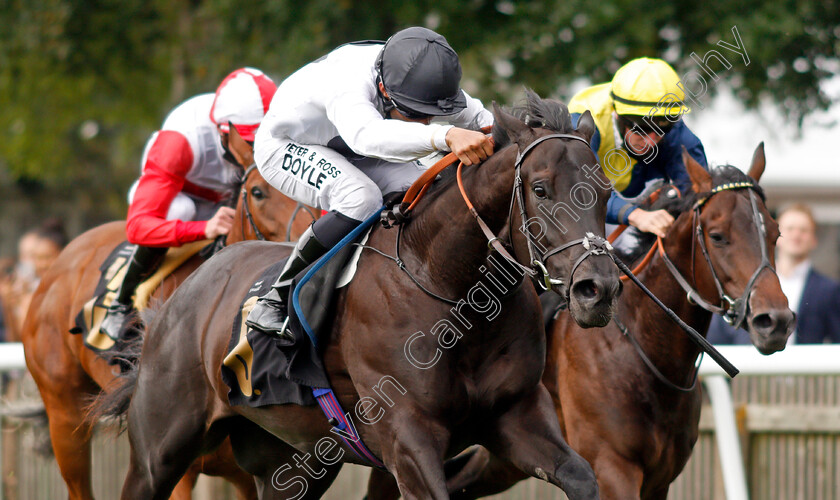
(168, 161)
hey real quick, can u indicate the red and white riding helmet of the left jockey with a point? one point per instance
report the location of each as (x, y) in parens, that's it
(242, 99)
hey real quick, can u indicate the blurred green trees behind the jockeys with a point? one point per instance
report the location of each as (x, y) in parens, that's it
(83, 83)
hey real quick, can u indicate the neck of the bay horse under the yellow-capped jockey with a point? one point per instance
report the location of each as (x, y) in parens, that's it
(664, 342)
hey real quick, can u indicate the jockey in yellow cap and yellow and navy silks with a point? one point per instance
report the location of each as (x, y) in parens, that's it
(639, 137)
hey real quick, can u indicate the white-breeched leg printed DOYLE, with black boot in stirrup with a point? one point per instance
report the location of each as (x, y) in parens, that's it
(318, 176)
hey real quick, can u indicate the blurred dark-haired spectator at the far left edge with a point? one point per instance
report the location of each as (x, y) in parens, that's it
(37, 249)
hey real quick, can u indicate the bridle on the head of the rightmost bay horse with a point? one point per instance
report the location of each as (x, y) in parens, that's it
(734, 311)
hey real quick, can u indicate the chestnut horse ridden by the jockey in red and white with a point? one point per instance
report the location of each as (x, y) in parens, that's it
(69, 374)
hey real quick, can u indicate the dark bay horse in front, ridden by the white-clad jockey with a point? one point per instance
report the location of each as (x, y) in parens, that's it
(472, 377)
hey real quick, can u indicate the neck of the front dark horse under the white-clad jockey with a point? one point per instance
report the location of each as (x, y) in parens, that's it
(445, 240)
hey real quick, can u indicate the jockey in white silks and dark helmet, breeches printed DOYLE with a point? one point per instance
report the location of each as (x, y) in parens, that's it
(345, 129)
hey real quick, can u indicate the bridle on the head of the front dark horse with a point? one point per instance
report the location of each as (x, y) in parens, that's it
(592, 244)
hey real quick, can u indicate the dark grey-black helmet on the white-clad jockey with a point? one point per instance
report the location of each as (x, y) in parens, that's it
(421, 73)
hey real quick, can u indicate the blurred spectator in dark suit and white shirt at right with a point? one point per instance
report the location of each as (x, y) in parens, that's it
(814, 297)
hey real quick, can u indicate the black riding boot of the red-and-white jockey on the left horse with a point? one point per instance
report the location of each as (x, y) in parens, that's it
(143, 262)
